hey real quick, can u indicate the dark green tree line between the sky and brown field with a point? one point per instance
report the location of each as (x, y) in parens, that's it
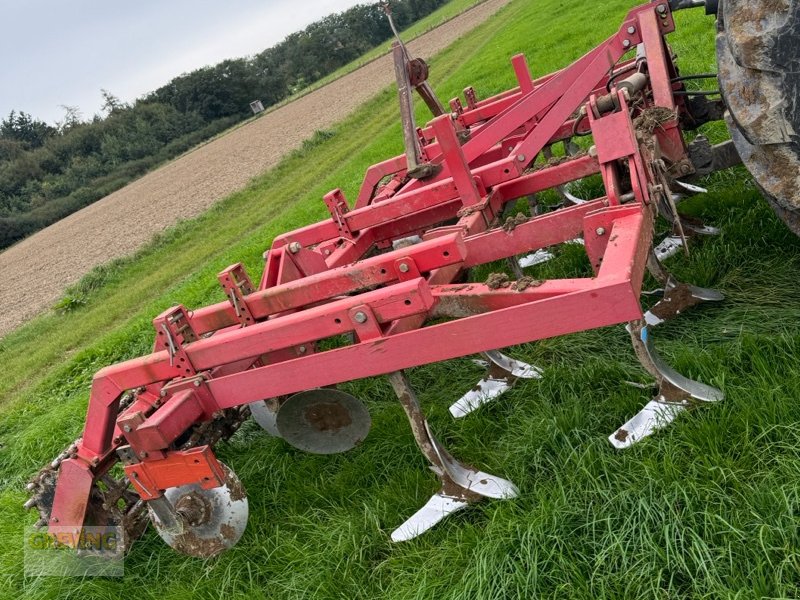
(50, 171)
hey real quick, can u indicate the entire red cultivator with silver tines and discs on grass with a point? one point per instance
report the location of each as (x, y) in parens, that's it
(382, 283)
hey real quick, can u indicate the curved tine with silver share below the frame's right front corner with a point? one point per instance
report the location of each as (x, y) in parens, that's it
(676, 393)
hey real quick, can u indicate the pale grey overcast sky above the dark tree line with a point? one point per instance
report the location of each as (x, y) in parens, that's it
(58, 52)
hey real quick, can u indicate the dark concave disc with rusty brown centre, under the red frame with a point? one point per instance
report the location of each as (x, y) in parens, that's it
(323, 421)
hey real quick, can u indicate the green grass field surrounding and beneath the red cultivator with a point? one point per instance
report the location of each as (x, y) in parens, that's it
(706, 509)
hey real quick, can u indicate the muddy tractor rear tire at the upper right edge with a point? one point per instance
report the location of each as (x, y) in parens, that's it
(758, 52)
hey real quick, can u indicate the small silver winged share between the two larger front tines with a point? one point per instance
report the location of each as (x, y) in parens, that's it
(502, 372)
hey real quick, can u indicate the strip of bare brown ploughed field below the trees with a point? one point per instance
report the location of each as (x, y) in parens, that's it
(40, 267)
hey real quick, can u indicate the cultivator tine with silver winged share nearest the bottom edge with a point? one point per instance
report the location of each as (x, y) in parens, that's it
(461, 484)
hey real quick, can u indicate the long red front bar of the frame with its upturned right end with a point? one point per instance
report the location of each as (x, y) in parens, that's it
(607, 300)
